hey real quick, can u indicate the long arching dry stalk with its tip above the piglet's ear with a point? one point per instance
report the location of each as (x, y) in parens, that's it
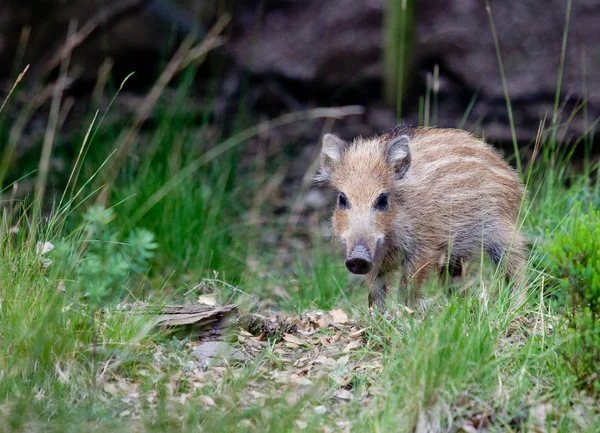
(317, 113)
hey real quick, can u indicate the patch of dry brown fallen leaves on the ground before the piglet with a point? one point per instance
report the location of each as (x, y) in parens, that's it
(317, 354)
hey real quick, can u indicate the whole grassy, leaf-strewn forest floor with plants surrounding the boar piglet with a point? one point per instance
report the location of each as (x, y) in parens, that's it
(183, 212)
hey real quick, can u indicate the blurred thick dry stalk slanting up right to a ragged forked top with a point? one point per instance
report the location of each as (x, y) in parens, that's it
(185, 55)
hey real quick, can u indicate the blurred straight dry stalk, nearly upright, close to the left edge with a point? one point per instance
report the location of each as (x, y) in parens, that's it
(44, 164)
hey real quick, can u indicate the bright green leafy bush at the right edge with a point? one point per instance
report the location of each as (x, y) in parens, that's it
(574, 258)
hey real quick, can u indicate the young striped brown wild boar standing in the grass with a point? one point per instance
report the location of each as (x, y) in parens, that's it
(457, 197)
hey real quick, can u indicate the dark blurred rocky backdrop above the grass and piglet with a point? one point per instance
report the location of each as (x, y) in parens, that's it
(287, 55)
